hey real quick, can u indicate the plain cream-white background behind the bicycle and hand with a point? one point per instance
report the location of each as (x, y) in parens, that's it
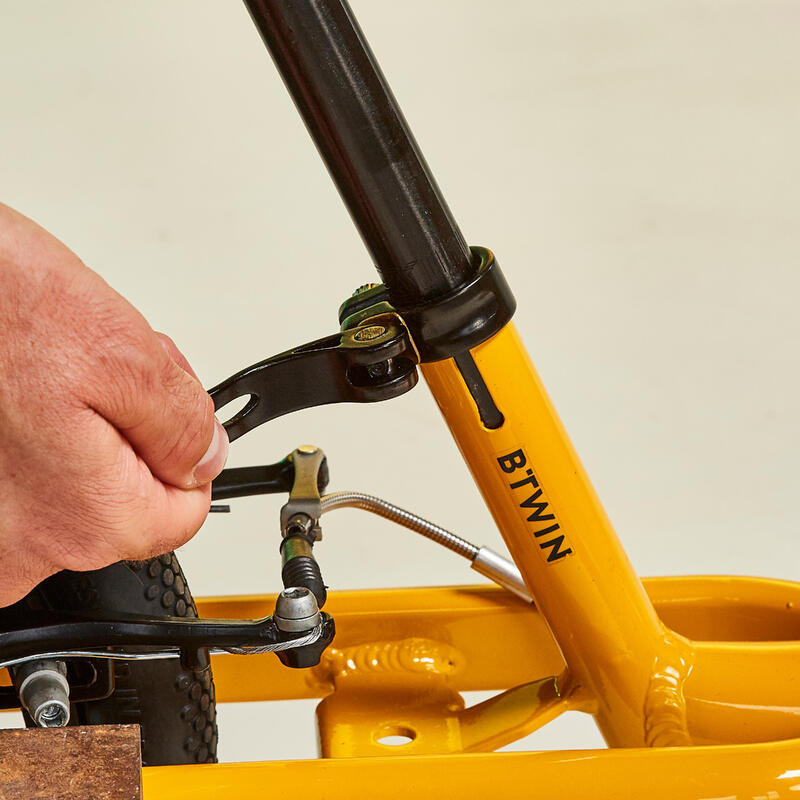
(635, 167)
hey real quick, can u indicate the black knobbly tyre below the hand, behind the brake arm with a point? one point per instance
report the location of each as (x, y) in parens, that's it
(175, 707)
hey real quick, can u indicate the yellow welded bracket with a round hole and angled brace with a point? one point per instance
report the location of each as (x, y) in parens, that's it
(404, 690)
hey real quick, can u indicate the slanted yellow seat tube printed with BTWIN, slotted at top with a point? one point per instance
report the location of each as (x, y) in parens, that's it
(563, 543)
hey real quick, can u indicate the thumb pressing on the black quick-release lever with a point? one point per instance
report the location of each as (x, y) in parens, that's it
(157, 403)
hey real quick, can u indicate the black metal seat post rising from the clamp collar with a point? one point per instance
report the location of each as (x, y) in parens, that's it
(367, 146)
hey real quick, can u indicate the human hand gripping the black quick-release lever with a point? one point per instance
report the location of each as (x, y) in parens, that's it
(108, 442)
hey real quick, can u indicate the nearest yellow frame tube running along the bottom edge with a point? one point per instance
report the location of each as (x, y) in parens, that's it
(766, 772)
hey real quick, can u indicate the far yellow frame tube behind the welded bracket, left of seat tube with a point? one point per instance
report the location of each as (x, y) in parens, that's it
(478, 621)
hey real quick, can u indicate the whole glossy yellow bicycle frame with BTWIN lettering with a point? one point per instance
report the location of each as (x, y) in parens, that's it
(692, 681)
